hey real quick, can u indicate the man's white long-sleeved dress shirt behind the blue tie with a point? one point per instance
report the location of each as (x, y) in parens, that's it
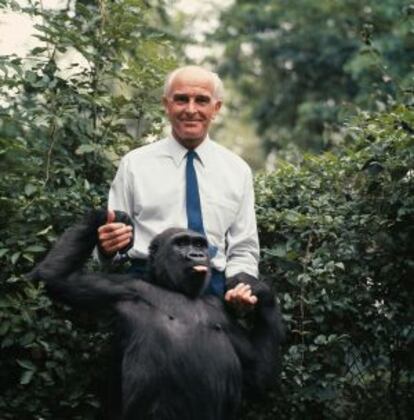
(150, 187)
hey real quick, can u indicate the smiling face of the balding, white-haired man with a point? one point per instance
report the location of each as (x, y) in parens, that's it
(190, 107)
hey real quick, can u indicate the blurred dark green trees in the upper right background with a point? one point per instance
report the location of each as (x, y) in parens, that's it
(304, 66)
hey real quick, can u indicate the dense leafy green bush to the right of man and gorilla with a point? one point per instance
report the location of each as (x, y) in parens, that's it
(337, 242)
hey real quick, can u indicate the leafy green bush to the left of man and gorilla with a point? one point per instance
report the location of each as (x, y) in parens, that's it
(62, 131)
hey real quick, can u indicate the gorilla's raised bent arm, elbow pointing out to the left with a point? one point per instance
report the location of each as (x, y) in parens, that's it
(61, 270)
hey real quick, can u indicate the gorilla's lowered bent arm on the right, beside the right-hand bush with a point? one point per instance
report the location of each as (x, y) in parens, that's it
(259, 353)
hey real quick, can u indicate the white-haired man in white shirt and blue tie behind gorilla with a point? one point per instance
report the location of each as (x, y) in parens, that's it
(187, 180)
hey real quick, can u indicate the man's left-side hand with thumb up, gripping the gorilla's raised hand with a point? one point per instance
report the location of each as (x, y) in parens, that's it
(113, 237)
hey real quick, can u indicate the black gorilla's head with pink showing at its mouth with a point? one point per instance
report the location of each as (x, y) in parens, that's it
(179, 261)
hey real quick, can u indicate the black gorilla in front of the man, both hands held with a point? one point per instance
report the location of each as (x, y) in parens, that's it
(180, 354)
